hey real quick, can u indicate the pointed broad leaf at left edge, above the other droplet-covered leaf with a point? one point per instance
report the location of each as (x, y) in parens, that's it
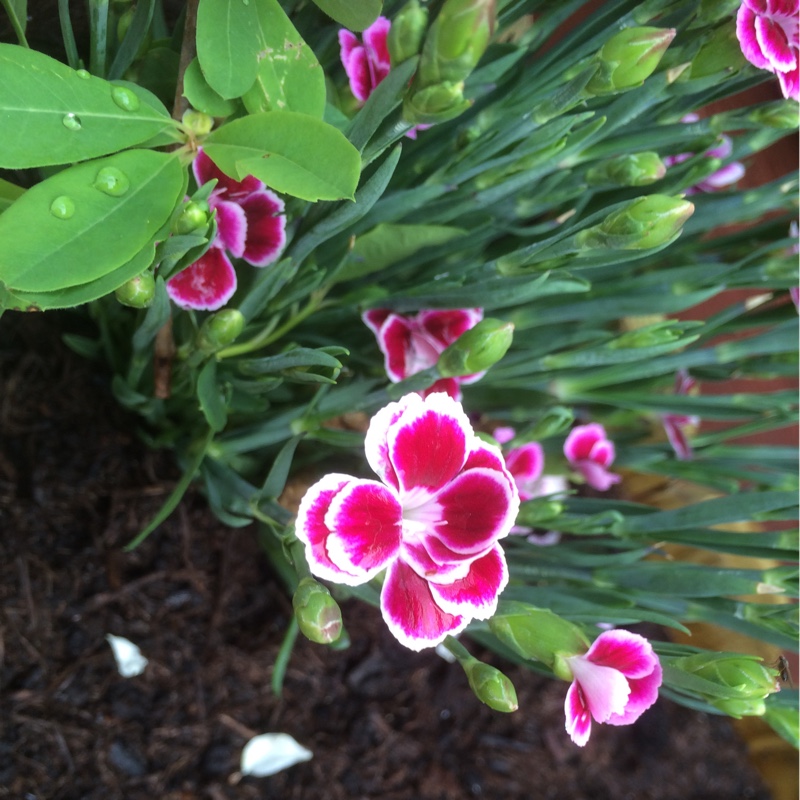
(58, 115)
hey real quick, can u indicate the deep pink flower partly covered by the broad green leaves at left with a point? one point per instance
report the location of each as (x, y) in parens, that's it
(250, 225)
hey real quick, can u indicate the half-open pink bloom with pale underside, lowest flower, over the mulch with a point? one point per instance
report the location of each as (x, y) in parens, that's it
(615, 682)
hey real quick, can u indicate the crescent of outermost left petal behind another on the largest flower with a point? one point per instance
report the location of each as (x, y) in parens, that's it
(311, 530)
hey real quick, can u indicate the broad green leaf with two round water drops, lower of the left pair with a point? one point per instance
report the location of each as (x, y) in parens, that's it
(64, 232)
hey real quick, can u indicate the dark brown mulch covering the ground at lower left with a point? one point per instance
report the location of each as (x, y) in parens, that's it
(200, 601)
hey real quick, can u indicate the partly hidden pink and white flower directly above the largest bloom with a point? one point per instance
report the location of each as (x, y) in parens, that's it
(411, 344)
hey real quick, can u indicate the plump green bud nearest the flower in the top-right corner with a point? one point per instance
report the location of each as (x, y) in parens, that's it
(628, 58)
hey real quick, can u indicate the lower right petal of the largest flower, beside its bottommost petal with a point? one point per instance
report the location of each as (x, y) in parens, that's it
(475, 595)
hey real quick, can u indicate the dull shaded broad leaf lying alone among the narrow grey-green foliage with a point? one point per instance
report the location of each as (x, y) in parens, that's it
(387, 244)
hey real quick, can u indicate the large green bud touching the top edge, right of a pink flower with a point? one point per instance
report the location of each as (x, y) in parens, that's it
(456, 41)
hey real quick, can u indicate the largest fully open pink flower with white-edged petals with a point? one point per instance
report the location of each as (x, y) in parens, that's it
(432, 521)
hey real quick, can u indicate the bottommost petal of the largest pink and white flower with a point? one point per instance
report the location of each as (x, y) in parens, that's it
(409, 610)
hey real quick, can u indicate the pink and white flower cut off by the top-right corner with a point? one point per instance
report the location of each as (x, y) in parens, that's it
(769, 35)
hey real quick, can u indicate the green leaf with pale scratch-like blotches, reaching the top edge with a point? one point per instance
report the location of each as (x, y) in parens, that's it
(289, 76)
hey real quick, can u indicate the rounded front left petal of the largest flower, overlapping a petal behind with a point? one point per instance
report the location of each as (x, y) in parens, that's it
(364, 519)
